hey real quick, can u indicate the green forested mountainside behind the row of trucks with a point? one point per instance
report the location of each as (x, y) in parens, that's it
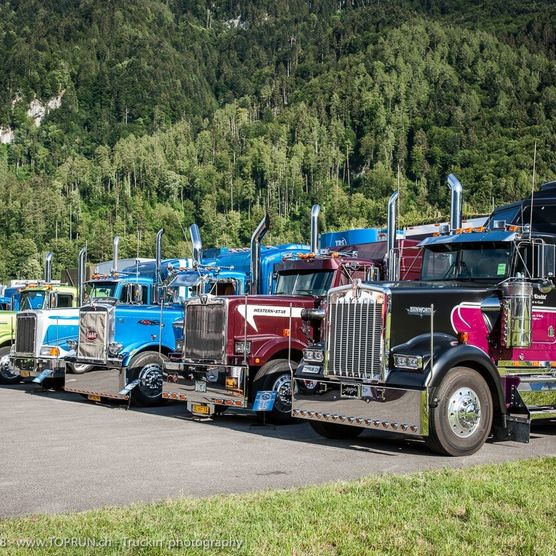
(181, 111)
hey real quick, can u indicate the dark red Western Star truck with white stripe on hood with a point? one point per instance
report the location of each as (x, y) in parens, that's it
(236, 346)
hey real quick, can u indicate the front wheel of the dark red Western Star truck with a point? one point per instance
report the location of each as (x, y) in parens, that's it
(276, 375)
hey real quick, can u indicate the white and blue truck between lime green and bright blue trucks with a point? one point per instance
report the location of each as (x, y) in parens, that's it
(46, 327)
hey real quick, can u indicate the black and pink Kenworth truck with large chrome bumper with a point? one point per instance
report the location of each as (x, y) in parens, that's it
(467, 353)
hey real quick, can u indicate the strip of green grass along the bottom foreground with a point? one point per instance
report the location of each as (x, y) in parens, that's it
(503, 509)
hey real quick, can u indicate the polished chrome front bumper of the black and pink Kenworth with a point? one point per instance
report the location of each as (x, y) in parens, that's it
(361, 405)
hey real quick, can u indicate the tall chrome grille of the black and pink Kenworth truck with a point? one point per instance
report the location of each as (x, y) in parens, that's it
(355, 343)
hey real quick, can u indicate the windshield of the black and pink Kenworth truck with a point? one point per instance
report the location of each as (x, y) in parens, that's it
(458, 262)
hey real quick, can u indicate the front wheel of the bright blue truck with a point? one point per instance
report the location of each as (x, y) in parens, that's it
(147, 367)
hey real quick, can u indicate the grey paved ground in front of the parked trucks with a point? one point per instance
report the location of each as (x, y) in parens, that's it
(60, 453)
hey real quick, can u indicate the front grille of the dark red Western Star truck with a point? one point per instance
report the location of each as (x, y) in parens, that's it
(205, 332)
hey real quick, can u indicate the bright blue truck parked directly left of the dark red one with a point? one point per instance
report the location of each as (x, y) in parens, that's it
(126, 345)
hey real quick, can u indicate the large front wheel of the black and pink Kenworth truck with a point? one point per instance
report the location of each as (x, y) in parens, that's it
(461, 422)
